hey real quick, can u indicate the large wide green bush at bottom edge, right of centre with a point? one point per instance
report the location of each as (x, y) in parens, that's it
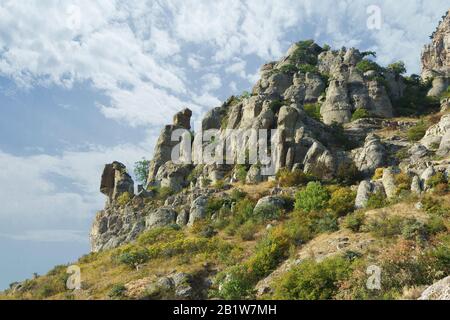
(312, 280)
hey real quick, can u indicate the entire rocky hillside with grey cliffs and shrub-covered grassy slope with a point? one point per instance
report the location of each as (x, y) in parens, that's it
(361, 179)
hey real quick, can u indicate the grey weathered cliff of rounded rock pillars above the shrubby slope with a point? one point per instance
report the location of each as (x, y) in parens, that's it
(313, 96)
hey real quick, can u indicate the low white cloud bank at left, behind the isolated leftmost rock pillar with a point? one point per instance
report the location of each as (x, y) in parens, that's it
(42, 191)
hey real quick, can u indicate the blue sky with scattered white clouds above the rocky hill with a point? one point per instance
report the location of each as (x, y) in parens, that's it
(84, 83)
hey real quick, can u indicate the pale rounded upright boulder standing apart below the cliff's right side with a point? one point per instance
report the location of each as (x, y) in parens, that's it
(370, 157)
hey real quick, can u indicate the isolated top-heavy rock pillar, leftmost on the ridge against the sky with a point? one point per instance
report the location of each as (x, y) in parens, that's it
(116, 181)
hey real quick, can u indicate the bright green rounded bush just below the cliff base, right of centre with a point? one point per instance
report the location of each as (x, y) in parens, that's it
(313, 198)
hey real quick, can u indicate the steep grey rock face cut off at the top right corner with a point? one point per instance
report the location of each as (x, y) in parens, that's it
(436, 58)
